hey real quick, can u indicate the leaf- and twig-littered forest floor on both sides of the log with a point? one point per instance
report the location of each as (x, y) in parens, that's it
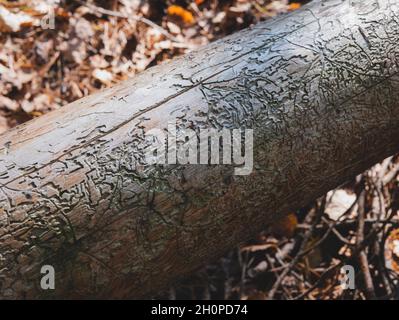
(46, 63)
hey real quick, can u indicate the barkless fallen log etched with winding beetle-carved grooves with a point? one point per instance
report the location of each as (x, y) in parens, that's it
(318, 87)
